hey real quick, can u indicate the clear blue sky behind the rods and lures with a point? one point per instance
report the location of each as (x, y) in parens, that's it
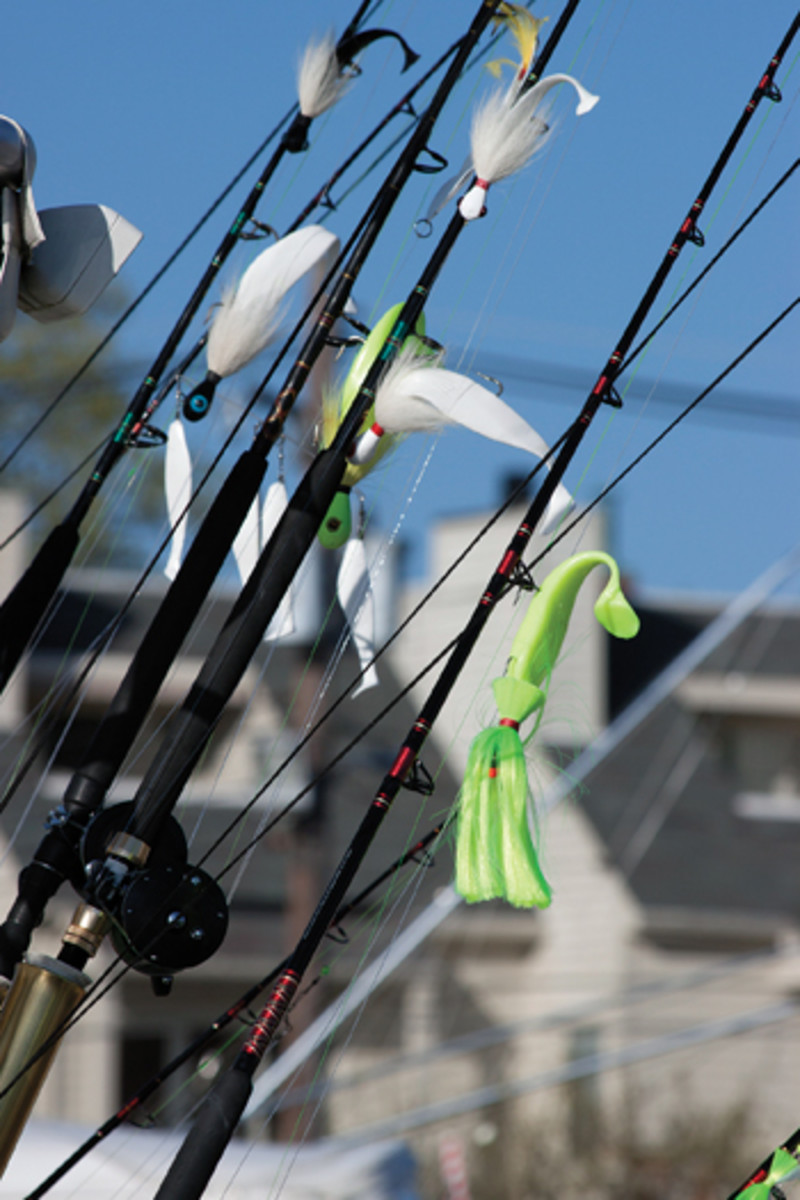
(152, 109)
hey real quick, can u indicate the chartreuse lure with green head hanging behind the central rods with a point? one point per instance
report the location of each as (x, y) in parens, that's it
(338, 526)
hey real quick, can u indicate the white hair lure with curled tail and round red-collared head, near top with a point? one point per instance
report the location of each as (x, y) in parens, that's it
(507, 133)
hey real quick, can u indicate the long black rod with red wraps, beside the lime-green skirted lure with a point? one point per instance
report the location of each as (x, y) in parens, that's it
(216, 1120)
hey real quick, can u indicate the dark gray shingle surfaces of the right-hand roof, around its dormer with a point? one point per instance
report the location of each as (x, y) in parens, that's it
(664, 800)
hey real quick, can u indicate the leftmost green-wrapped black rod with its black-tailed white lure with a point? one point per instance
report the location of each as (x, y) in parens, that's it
(29, 601)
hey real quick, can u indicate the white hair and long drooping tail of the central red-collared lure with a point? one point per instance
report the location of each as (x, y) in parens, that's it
(416, 399)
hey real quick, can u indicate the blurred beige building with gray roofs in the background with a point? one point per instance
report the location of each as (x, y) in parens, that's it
(654, 863)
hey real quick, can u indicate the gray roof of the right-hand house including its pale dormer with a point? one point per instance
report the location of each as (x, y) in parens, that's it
(667, 800)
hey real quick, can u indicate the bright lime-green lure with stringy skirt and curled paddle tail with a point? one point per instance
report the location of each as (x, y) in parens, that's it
(496, 851)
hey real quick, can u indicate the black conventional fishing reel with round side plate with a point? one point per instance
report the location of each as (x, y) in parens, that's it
(165, 914)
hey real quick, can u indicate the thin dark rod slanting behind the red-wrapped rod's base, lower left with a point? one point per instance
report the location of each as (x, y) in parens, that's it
(234, 1012)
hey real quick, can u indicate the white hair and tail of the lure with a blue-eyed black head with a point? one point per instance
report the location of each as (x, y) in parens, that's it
(249, 315)
